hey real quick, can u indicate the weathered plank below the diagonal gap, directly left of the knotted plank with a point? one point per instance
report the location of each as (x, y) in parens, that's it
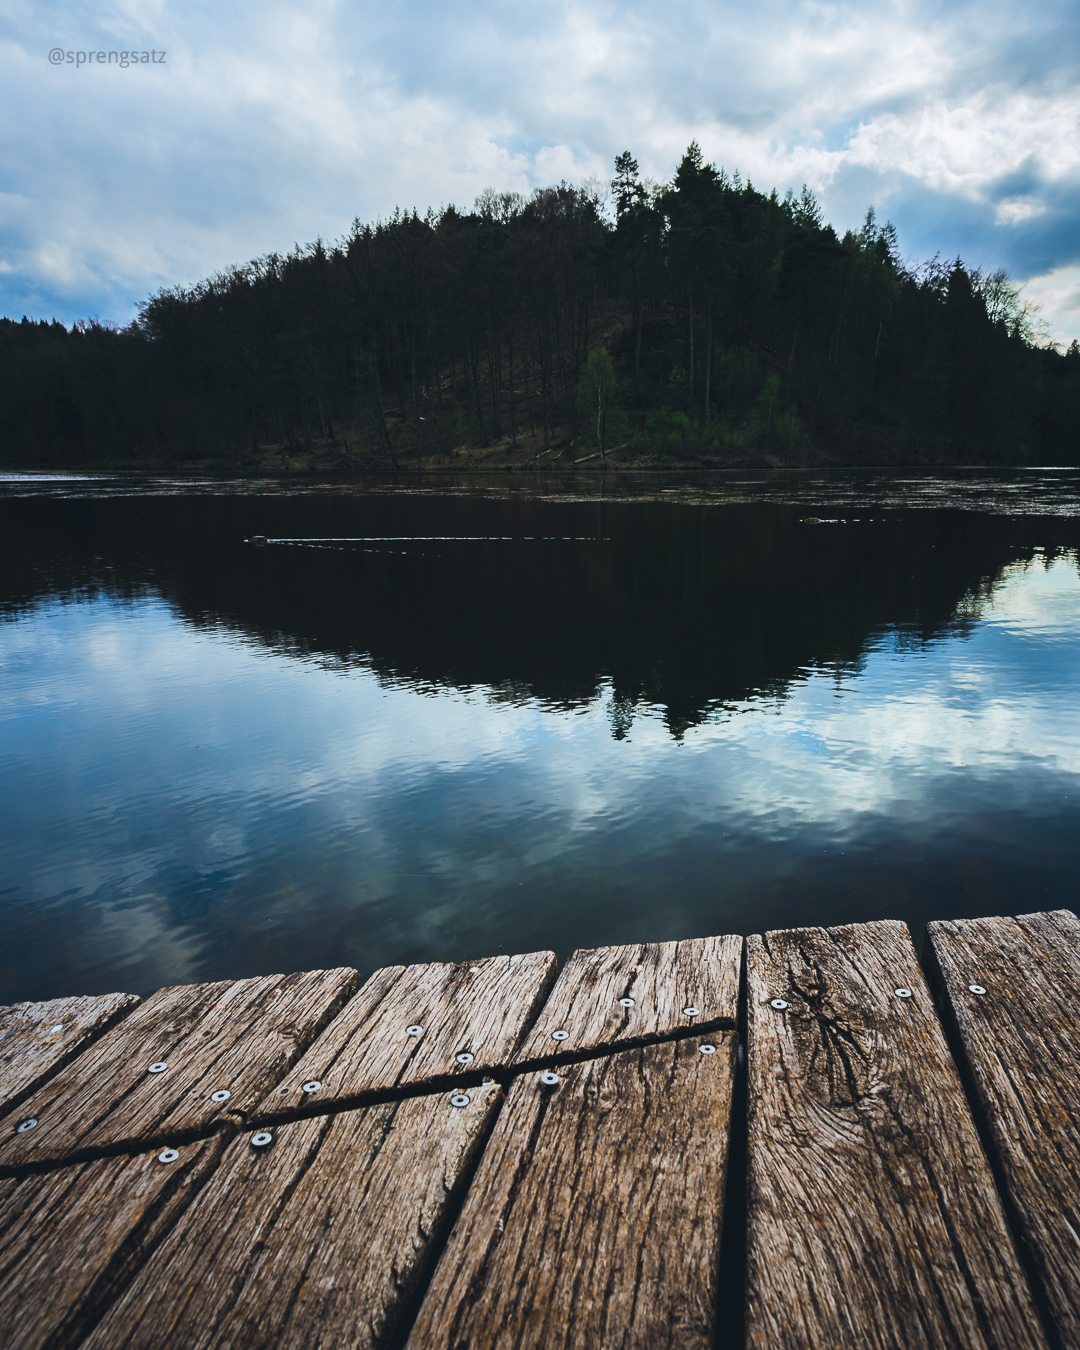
(595, 1218)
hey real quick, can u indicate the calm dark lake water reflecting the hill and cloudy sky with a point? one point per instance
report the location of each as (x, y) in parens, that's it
(434, 722)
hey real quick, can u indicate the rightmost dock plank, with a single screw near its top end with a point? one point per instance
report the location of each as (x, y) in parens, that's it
(1021, 1042)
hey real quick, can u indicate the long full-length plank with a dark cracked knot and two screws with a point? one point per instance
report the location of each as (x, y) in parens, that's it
(873, 1214)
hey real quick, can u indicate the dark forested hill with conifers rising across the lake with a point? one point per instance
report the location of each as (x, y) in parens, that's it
(697, 323)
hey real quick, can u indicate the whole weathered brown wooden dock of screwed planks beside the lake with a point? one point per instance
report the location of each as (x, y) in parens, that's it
(796, 1141)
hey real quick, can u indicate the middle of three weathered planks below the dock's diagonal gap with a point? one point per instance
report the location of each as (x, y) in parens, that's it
(319, 1240)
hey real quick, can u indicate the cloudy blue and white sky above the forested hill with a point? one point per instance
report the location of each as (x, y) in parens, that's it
(256, 128)
